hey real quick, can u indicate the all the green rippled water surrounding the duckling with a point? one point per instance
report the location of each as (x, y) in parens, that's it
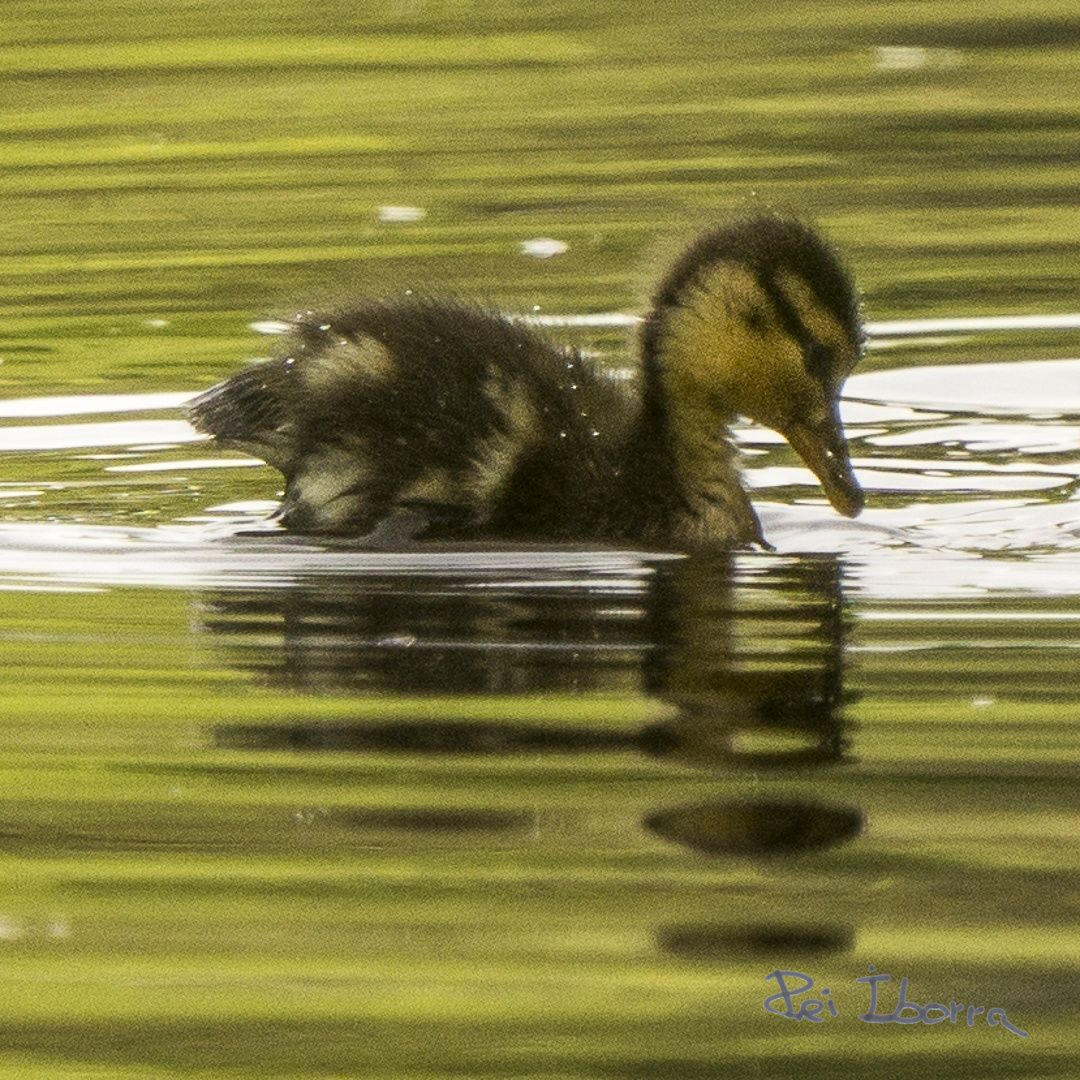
(277, 809)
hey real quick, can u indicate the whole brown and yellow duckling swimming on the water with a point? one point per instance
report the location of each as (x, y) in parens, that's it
(410, 418)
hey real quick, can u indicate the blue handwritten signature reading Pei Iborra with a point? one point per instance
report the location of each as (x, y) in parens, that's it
(794, 1002)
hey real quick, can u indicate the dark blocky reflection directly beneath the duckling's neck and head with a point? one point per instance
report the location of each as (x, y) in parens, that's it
(757, 673)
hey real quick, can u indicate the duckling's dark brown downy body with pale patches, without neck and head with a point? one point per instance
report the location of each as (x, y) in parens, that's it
(429, 409)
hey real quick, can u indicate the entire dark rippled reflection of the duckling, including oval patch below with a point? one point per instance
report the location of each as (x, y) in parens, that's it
(747, 656)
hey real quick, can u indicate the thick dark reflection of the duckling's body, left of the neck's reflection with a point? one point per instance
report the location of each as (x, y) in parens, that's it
(437, 634)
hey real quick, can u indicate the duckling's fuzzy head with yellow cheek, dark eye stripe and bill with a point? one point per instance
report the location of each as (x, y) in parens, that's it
(760, 319)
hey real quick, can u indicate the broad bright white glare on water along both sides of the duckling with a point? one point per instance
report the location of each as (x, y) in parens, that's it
(934, 526)
